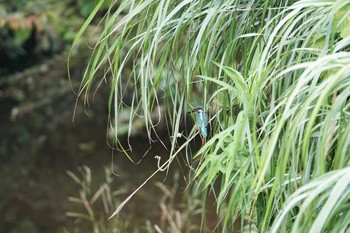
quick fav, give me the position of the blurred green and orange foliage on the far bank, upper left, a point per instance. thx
(35, 27)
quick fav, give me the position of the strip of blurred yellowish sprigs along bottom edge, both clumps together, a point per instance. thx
(176, 215)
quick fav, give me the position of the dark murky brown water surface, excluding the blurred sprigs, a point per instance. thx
(39, 143)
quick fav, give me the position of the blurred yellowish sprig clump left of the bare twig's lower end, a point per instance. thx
(95, 204)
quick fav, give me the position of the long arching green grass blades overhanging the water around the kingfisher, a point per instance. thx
(274, 76)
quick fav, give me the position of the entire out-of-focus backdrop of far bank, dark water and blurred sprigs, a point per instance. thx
(56, 172)
